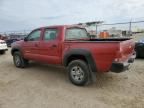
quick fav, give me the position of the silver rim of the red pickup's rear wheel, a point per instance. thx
(77, 73)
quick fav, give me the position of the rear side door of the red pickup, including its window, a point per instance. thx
(50, 48)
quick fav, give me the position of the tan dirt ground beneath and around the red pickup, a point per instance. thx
(43, 86)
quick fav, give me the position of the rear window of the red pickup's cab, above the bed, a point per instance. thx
(76, 33)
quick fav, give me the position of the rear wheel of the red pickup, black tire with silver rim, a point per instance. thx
(78, 72)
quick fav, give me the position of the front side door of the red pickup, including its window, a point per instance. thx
(31, 46)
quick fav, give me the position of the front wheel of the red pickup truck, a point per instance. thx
(19, 61)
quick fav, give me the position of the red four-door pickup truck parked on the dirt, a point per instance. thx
(72, 47)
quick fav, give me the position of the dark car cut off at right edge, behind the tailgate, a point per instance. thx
(139, 48)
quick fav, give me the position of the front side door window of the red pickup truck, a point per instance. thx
(34, 36)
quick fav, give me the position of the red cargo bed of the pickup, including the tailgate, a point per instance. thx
(104, 51)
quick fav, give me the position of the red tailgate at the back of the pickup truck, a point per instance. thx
(127, 49)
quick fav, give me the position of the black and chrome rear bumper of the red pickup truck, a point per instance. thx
(121, 67)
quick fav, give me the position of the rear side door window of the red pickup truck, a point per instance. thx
(50, 34)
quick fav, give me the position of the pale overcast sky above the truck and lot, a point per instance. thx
(28, 14)
